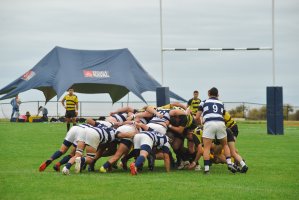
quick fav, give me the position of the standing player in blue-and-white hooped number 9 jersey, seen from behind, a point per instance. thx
(211, 112)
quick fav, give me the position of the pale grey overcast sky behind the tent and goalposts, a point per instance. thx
(30, 29)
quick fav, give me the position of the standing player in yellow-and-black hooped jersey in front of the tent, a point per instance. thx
(71, 107)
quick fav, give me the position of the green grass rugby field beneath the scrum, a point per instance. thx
(273, 170)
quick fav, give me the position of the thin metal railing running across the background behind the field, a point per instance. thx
(246, 110)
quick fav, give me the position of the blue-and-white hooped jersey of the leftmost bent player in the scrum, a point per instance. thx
(106, 134)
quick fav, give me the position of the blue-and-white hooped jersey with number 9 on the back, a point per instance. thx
(212, 110)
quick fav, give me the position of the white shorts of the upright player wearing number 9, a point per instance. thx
(214, 129)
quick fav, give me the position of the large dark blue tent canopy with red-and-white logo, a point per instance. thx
(88, 71)
